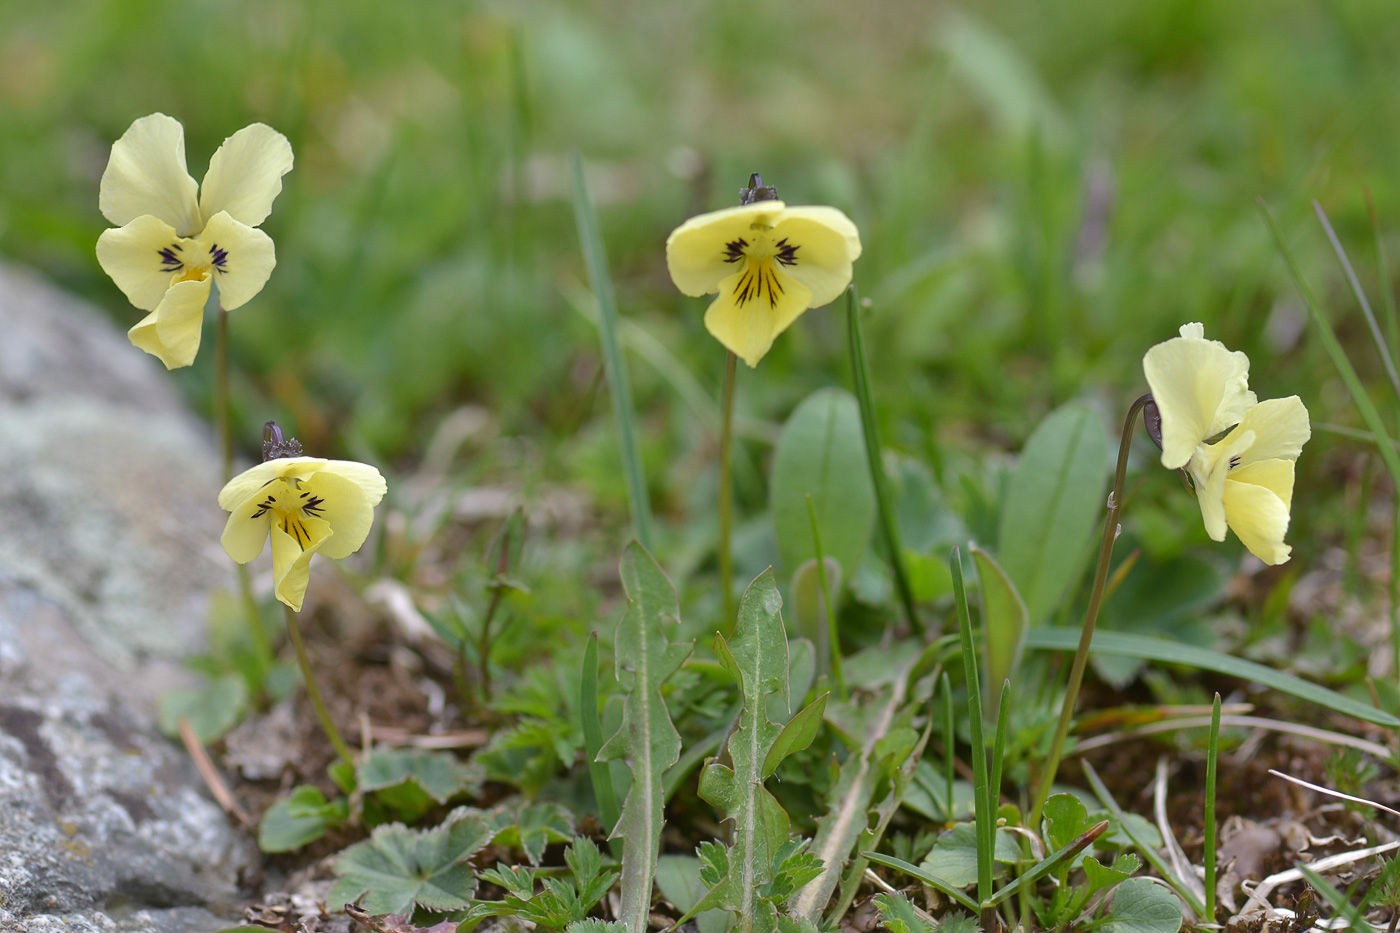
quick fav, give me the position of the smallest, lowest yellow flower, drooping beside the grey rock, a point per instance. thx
(307, 506)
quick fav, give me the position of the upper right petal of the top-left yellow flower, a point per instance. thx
(246, 174)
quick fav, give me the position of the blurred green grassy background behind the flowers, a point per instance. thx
(1044, 191)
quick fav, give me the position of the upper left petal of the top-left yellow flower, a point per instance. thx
(146, 176)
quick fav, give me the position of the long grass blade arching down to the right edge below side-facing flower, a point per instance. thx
(1161, 651)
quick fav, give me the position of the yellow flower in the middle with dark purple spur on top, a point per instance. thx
(766, 261)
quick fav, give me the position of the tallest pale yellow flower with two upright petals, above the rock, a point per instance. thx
(174, 239)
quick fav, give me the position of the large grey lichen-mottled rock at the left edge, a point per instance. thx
(108, 553)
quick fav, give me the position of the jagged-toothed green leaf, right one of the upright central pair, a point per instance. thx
(758, 661)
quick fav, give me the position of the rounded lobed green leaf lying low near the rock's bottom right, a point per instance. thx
(397, 868)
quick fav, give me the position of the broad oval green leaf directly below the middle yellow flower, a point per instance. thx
(822, 452)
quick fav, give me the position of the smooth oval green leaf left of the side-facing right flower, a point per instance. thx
(1055, 498)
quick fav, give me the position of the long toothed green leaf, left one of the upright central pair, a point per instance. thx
(646, 740)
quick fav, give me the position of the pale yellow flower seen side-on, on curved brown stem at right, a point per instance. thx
(1244, 481)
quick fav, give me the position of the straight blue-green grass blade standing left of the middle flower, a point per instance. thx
(597, 261)
